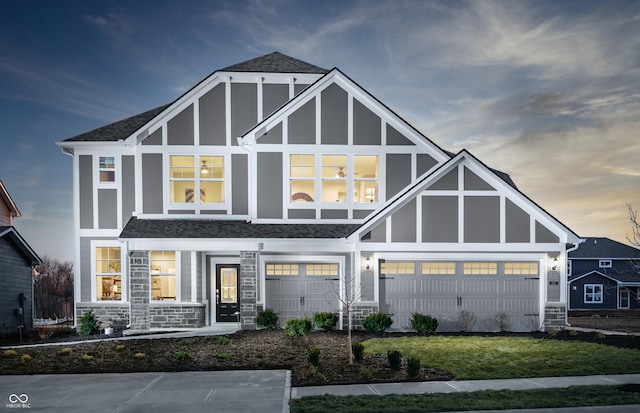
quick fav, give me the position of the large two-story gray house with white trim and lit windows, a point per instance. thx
(276, 183)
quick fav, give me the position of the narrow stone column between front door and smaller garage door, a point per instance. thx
(248, 289)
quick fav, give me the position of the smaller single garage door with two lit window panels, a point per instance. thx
(295, 290)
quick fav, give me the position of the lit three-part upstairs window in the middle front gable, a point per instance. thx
(340, 175)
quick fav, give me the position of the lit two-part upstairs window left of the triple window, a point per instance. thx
(196, 179)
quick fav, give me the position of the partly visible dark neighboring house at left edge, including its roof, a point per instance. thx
(17, 260)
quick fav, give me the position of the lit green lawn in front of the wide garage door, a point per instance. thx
(471, 358)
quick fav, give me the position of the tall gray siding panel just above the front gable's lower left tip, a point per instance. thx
(244, 108)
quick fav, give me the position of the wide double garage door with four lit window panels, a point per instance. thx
(444, 289)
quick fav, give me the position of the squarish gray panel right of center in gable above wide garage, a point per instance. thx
(481, 219)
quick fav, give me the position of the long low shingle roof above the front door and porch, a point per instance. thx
(201, 228)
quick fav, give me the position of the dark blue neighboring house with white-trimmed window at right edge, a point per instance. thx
(604, 275)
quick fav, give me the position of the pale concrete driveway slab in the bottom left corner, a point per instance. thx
(213, 391)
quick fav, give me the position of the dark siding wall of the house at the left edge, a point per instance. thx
(15, 278)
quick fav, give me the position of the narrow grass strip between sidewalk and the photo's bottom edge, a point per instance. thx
(481, 400)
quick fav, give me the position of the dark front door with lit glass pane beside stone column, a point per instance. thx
(227, 305)
